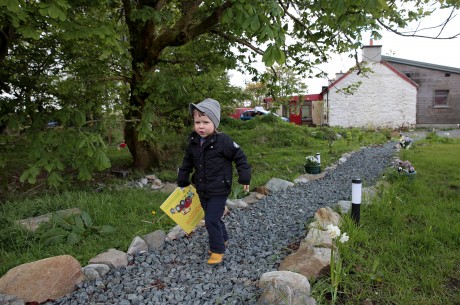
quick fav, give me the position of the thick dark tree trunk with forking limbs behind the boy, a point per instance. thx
(147, 42)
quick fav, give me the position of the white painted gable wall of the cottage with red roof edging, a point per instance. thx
(383, 99)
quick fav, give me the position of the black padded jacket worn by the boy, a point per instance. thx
(211, 164)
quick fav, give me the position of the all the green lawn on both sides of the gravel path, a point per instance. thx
(405, 251)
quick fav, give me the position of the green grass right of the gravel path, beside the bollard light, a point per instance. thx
(407, 247)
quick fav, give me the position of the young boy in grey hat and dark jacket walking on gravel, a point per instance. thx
(210, 155)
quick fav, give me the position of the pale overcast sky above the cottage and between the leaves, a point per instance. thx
(439, 52)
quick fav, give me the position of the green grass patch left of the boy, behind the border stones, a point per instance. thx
(126, 209)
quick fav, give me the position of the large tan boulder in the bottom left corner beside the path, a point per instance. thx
(46, 279)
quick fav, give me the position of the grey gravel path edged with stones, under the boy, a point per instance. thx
(259, 236)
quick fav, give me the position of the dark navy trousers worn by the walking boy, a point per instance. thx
(213, 212)
